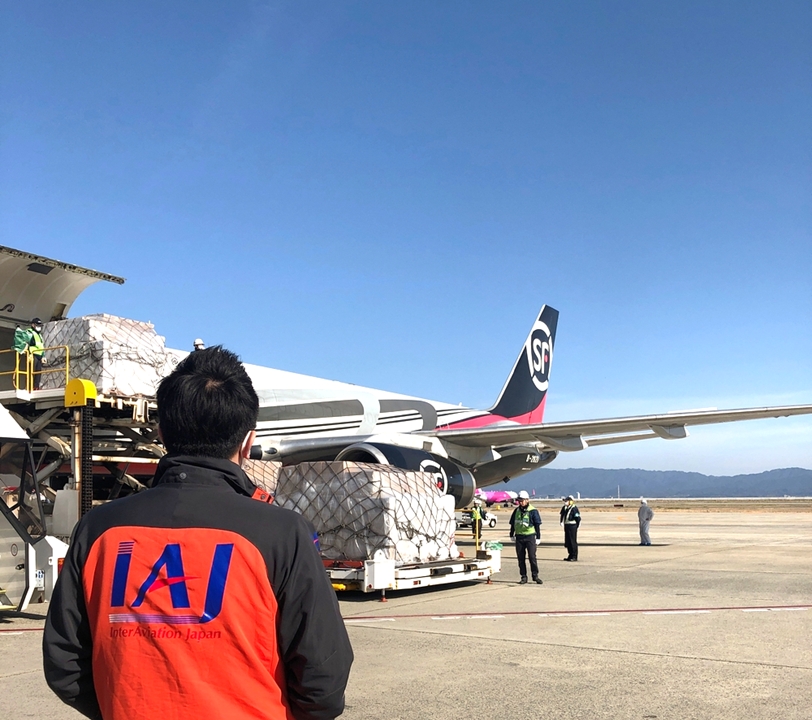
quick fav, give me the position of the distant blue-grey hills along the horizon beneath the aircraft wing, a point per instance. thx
(596, 482)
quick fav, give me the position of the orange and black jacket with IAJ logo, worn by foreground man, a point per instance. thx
(193, 600)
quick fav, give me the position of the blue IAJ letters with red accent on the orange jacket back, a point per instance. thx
(167, 572)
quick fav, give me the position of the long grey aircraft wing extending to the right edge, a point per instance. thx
(573, 436)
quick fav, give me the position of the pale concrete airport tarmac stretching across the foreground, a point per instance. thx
(712, 622)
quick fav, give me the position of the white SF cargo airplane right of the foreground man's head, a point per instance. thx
(305, 419)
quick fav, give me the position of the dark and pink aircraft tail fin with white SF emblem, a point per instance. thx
(523, 397)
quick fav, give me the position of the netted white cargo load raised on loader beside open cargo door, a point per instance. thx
(119, 356)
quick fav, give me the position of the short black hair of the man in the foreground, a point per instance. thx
(207, 405)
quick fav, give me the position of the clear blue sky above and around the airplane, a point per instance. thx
(386, 193)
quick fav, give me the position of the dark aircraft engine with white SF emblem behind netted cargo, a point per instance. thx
(451, 478)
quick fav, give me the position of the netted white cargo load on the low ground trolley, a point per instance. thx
(360, 509)
